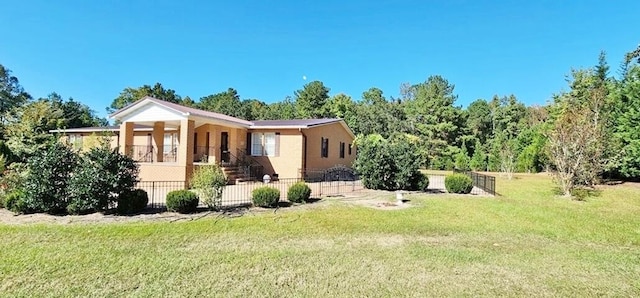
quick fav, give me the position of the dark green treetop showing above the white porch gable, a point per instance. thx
(130, 95)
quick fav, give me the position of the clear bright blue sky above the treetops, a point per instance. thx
(91, 50)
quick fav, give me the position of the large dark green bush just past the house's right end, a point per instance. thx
(388, 165)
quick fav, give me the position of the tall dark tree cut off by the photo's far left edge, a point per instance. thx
(12, 95)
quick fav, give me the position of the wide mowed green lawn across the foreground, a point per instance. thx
(526, 242)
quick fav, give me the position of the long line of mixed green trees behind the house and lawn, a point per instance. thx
(584, 134)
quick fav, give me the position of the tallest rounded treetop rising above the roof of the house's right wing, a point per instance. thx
(311, 99)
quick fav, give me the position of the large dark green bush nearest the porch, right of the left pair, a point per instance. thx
(100, 178)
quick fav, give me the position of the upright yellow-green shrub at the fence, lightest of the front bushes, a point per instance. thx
(209, 181)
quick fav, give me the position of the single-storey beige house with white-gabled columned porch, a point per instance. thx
(169, 140)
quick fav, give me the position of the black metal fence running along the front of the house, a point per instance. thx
(235, 195)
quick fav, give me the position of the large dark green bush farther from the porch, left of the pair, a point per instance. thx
(46, 185)
